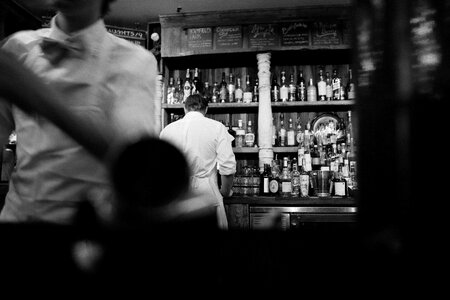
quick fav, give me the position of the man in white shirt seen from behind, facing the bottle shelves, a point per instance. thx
(206, 144)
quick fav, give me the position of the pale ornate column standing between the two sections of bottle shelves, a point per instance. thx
(264, 111)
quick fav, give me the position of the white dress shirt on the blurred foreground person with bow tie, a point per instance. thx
(112, 86)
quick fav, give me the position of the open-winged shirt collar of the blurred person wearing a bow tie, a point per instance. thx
(91, 36)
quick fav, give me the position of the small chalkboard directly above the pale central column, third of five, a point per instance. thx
(263, 35)
